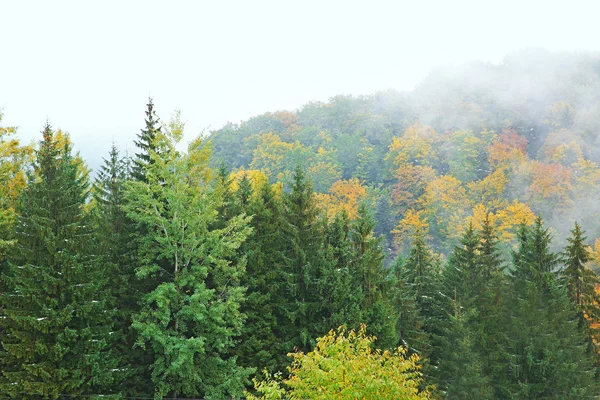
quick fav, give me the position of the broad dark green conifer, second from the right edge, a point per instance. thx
(546, 351)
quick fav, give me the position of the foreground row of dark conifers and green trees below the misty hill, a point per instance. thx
(169, 277)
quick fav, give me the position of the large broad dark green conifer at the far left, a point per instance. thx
(57, 328)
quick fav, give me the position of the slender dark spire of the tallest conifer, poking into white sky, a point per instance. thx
(147, 143)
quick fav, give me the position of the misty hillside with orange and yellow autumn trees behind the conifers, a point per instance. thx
(518, 138)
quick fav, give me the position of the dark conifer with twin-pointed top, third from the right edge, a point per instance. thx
(471, 334)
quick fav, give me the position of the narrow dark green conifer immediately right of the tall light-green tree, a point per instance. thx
(259, 344)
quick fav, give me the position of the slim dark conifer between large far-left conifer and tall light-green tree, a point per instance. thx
(115, 237)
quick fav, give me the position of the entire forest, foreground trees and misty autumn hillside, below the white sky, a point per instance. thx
(437, 243)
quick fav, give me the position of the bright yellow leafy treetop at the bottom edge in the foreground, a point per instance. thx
(344, 365)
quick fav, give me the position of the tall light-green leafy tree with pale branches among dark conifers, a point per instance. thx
(191, 317)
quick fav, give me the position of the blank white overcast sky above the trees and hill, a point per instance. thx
(89, 67)
